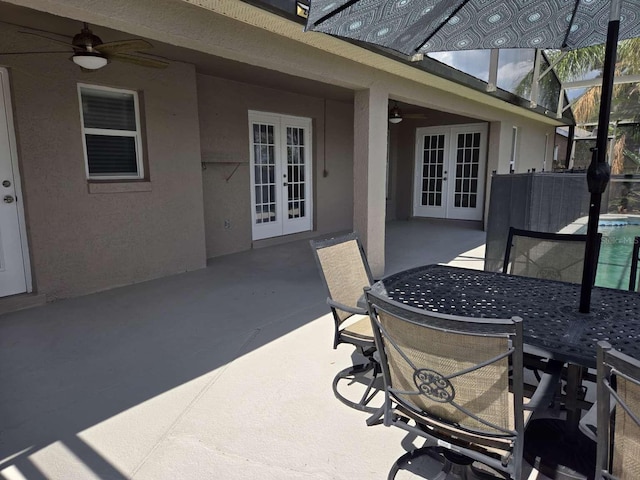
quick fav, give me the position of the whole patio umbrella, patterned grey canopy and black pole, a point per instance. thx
(420, 26)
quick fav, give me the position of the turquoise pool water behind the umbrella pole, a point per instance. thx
(614, 263)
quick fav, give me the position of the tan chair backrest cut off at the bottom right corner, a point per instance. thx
(618, 454)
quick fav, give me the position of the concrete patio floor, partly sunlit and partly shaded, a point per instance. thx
(221, 373)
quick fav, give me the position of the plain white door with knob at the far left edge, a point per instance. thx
(13, 257)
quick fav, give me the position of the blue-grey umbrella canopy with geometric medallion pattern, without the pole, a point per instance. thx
(421, 26)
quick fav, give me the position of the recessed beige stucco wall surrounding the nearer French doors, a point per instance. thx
(224, 127)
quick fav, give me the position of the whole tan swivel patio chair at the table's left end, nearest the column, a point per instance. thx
(345, 271)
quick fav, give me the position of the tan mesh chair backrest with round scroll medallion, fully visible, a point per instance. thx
(451, 371)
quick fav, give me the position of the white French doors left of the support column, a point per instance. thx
(280, 174)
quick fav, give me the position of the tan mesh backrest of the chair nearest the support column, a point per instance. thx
(344, 269)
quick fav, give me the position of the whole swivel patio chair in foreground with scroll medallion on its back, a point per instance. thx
(458, 383)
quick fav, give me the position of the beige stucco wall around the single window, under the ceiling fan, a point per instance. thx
(80, 241)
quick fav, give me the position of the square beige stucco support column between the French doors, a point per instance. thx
(369, 172)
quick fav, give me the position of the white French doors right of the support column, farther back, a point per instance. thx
(450, 170)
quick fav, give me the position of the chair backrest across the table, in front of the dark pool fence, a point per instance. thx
(553, 256)
